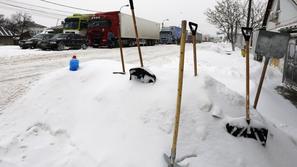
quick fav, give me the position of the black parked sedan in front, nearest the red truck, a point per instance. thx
(64, 41)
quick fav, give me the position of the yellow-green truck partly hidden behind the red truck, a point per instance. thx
(77, 23)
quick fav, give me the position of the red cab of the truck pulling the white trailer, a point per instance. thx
(103, 29)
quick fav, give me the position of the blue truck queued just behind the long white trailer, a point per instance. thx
(170, 35)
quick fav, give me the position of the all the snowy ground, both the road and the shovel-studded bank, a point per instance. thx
(53, 117)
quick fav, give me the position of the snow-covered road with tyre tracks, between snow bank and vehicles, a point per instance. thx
(20, 68)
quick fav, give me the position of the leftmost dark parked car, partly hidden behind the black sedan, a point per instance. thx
(32, 42)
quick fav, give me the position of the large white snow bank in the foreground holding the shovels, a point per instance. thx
(94, 118)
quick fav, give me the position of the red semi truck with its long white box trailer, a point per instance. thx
(105, 28)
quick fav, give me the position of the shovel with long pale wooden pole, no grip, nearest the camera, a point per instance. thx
(171, 160)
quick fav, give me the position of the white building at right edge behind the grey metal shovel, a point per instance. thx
(281, 16)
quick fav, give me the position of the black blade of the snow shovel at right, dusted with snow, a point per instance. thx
(259, 134)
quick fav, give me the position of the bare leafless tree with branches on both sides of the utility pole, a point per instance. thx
(230, 15)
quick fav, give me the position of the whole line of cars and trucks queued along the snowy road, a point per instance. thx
(103, 29)
